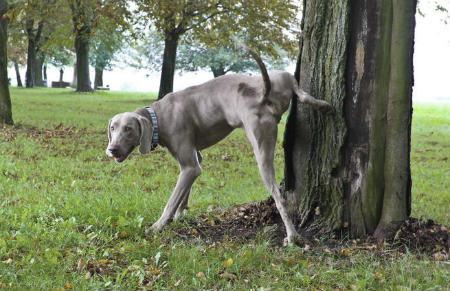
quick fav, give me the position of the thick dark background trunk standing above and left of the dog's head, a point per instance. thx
(82, 52)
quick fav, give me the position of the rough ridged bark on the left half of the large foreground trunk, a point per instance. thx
(311, 138)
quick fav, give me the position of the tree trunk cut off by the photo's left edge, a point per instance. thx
(5, 99)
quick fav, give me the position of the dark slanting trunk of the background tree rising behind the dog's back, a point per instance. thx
(168, 66)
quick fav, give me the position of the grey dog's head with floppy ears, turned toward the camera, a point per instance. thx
(125, 132)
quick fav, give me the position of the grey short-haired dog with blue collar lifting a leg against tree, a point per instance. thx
(195, 118)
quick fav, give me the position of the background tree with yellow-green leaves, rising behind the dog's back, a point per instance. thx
(213, 23)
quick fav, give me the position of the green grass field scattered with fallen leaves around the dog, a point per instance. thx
(71, 218)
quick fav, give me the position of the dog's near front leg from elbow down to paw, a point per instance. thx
(189, 171)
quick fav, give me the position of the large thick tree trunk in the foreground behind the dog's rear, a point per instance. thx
(352, 169)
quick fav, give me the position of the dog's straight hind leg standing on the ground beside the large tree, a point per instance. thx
(263, 136)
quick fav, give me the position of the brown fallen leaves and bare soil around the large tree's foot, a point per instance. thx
(246, 221)
